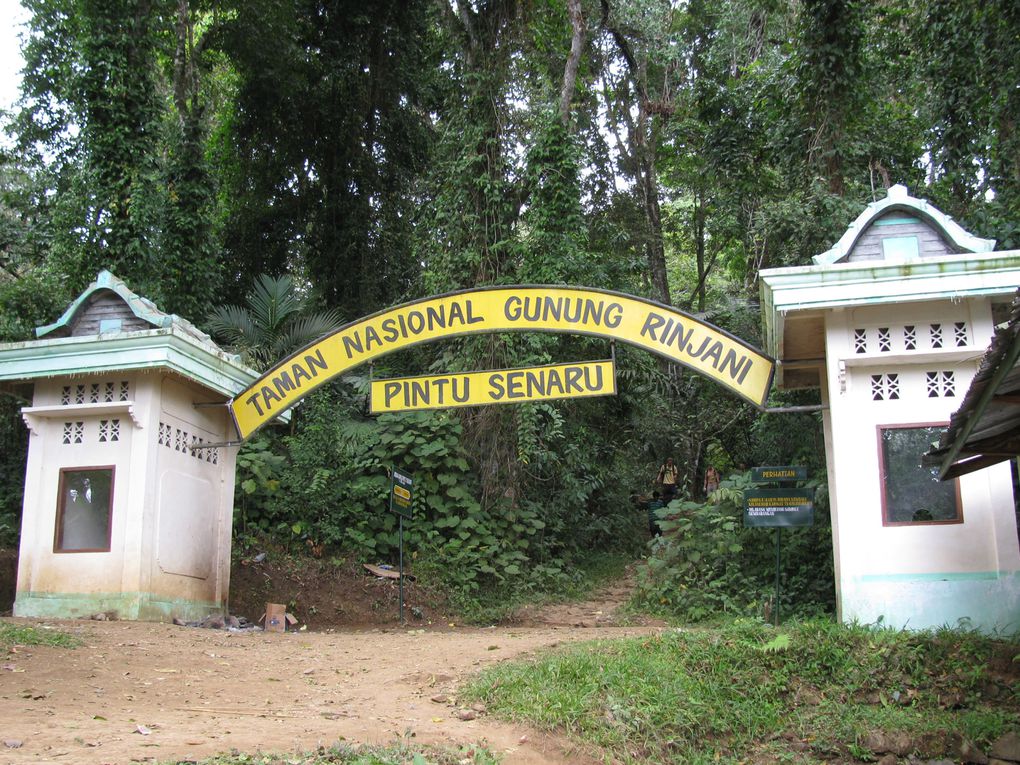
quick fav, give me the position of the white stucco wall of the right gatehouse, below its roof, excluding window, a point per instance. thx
(923, 576)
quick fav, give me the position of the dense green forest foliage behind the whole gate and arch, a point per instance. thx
(366, 154)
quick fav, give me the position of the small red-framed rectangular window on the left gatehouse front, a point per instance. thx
(85, 499)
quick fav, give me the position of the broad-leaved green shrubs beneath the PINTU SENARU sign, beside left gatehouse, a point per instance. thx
(326, 486)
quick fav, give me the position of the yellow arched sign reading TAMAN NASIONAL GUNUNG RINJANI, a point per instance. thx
(656, 328)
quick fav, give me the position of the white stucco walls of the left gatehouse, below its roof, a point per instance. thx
(172, 508)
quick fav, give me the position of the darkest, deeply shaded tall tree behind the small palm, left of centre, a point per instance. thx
(324, 143)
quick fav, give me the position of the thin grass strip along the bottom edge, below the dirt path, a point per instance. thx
(399, 753)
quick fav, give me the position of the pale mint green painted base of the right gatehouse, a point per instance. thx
(989, 601)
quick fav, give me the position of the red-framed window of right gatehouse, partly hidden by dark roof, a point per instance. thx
(912, 492)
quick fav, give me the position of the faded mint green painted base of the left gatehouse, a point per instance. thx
(128, 606)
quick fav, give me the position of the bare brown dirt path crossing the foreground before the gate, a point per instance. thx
(152, 693)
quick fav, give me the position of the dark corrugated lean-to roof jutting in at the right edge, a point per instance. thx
(986, 430)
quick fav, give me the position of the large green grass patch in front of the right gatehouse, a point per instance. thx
(812, 691)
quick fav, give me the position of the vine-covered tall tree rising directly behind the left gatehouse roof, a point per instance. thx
(96, 113)
